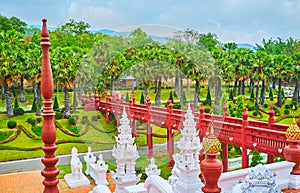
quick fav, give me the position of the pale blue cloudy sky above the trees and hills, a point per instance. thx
(240, 21)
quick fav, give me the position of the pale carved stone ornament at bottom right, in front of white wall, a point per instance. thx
(259, 179)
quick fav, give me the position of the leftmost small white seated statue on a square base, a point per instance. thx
(76, 178)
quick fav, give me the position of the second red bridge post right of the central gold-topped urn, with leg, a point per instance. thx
(245, 158)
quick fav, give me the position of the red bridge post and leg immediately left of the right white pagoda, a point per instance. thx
(170, 136)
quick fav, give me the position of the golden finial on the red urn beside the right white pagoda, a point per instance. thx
(211, 144)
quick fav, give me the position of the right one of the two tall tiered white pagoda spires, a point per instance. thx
(185, 174)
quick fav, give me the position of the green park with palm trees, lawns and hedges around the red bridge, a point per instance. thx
(204, 70)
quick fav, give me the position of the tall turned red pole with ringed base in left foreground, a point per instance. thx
(48, 130)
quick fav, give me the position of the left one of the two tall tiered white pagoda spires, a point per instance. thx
(126, 154)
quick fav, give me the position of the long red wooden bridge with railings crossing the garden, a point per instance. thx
(265, 137)
